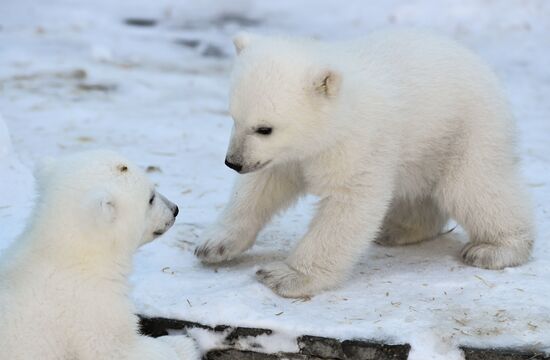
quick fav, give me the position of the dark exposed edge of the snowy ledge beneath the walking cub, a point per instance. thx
(315, 347)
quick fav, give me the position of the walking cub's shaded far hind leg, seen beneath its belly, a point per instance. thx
(411, 221)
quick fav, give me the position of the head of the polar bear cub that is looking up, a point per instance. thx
(99, 199)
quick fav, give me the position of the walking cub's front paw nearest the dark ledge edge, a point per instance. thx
(286, 281)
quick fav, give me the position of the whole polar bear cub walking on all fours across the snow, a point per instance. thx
(395, 134)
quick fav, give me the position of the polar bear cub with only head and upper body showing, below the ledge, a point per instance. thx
(63, 283)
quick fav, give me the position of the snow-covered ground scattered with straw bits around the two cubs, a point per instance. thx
(74, 75)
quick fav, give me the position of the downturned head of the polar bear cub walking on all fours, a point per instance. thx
(281, 102)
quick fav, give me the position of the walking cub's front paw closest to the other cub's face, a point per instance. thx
(221, 245)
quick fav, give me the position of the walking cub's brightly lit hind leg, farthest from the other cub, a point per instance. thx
(493, 208)
